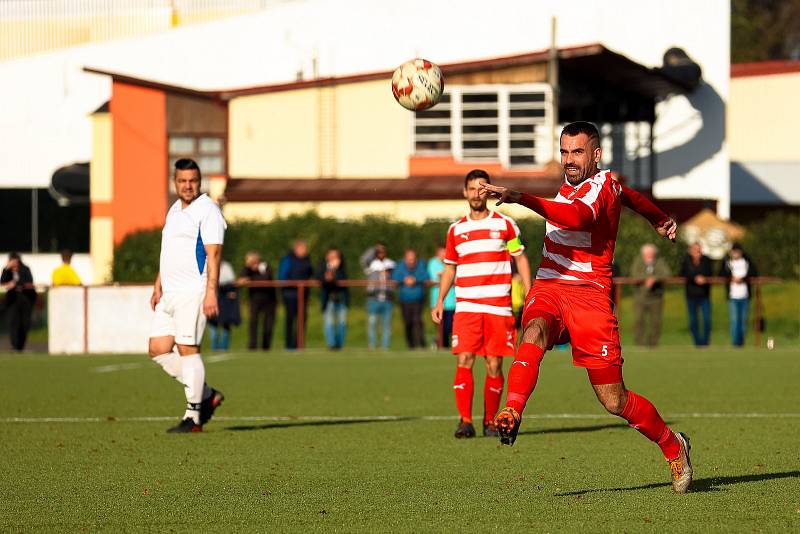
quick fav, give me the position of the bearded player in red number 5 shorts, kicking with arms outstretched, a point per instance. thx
(571, 299)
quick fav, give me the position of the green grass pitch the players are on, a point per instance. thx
(362, 441)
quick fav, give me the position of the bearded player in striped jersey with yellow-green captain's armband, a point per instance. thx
(478, 255)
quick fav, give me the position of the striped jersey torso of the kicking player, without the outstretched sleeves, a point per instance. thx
(584, 255)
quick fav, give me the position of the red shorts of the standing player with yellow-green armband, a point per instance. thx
(484, 334)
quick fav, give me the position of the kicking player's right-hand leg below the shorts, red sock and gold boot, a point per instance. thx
(643, 416)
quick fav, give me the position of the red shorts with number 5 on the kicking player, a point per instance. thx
(578, 314)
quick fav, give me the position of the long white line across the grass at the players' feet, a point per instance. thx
(325, 418)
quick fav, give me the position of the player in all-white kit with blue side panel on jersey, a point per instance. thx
(185, 293)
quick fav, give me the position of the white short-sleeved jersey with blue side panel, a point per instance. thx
(185, 234)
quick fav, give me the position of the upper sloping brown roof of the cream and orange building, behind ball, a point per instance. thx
(592, 61)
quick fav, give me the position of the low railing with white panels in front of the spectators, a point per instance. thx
(117, 318)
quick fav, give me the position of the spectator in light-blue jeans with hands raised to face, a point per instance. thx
(380, 292)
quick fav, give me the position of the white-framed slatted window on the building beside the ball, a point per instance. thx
(506, 123)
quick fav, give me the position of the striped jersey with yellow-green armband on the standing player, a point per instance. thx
(481, 250)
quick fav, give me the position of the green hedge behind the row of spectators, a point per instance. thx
(774, 243)
